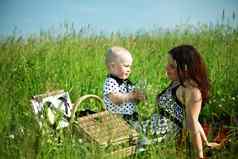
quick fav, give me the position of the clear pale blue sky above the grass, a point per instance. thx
(31, 16)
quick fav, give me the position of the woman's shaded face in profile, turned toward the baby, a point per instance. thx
(171, 69)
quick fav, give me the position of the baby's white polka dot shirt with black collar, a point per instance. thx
(113, 84)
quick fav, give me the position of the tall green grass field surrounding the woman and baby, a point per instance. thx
(75, 63)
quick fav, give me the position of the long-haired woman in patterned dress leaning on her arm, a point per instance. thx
(180, 104)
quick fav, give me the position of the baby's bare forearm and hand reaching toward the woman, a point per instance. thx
(119, 98)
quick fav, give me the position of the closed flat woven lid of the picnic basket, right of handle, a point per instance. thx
(105, 128)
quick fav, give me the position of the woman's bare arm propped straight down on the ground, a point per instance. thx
(193, 104)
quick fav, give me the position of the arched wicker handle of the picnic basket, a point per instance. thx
(80, 100)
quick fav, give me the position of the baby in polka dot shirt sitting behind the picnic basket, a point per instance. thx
(119, 94)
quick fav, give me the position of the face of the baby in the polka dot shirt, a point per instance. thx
(122, 68)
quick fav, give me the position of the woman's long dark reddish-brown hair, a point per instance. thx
(190, 65)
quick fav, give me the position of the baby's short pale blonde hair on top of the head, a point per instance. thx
(115, 53)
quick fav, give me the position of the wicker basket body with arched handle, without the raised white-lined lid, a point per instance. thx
(106, 129)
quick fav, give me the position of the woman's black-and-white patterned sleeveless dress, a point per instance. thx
(170, 115)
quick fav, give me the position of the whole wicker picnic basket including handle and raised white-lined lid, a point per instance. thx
(107, 130)
